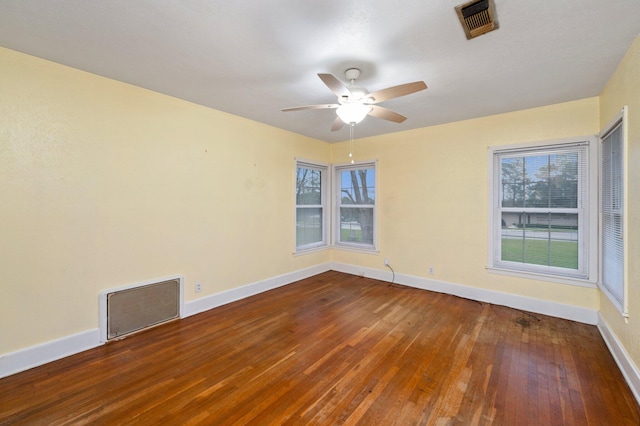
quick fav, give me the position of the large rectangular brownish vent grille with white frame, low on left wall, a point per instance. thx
(134, 308)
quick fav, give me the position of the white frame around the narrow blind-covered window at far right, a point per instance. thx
(622, 305)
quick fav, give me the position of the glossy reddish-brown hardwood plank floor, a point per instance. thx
(336, 349)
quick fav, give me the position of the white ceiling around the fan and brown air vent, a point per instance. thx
(252, 58)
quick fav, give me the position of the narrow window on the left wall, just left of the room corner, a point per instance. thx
(311, 201)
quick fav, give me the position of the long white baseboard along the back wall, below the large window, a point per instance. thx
(545, 307)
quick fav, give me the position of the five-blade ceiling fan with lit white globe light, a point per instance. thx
(355, 102)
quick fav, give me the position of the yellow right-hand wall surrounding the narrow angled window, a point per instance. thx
(624, 89)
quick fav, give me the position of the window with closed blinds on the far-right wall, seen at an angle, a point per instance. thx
(611, 214)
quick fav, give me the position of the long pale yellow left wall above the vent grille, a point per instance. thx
(104, 184)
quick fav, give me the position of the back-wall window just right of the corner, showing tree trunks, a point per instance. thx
(356, 206)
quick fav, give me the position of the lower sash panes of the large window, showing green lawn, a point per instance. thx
(549, 239)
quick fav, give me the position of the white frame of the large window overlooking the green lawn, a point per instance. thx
(586, 275)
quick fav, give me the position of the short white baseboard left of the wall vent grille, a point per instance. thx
(34, 356)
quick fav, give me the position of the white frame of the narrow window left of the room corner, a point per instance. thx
(325, 189)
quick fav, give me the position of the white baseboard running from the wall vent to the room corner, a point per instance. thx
(219, 299)
